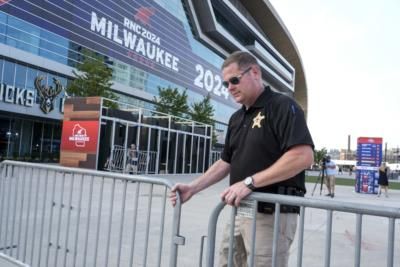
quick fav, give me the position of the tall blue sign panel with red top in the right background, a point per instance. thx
(369, 158)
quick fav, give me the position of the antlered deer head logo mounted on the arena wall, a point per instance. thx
(47, 94)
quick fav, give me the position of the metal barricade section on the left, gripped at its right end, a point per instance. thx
(58, 216)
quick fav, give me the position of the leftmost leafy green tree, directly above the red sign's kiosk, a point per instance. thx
(93, 78)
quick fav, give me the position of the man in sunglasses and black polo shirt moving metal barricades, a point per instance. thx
(267, 148)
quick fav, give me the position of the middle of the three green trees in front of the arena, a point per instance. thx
(171, 101)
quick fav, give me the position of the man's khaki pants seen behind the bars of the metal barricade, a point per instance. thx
(264, 237)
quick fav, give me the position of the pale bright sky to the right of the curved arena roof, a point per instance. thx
(350, 51)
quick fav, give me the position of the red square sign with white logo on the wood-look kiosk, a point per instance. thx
(80, 136)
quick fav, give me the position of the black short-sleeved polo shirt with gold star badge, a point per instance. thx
(259, 136)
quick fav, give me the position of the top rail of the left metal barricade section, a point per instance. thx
(111, 175)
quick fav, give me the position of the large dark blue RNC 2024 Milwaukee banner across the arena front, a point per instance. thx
(139, 33)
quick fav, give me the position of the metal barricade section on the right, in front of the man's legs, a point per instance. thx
(329, 206)
